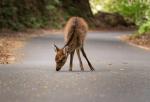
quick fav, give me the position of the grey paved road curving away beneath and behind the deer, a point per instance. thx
(122, 73)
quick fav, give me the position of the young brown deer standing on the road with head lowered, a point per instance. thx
(75, 33)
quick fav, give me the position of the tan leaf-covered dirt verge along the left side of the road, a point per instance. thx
(11, 41)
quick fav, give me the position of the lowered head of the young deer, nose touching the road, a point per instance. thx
(60, 58)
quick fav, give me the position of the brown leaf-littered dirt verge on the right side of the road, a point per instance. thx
(142, 41)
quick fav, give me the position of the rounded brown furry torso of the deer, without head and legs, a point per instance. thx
(80, 32)
